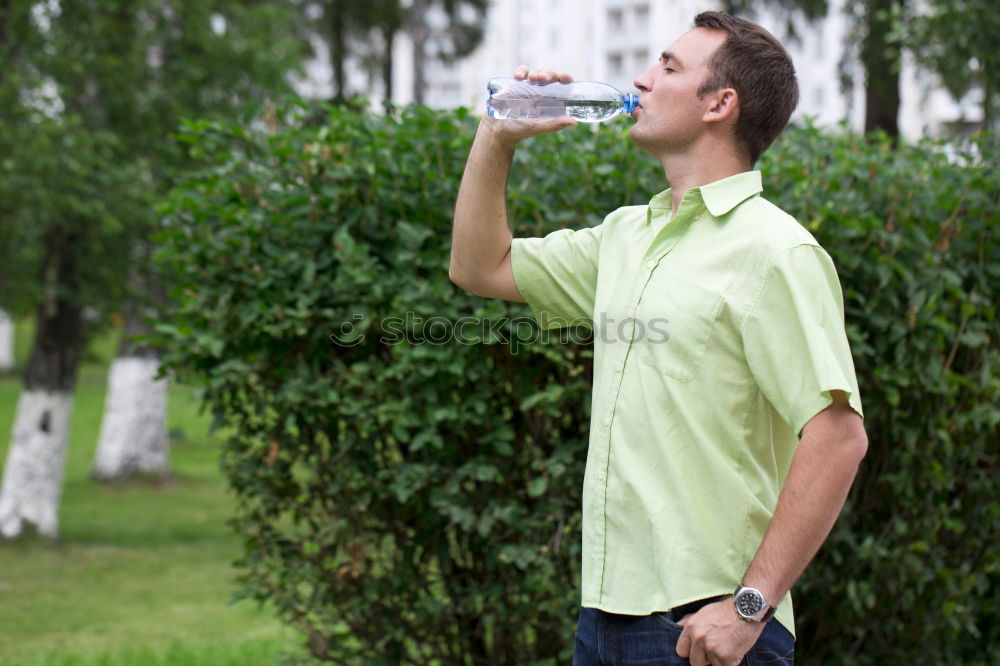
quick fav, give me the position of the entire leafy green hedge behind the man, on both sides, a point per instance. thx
(408, 498)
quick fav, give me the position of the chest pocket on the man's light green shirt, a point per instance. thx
(679, 316)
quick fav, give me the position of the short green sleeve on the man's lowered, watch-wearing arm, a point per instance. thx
(795, 340)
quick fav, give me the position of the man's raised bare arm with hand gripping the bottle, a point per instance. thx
(481, 237)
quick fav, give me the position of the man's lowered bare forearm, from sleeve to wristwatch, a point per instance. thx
(822, 471)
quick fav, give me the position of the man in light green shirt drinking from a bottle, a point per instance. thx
(750, 393)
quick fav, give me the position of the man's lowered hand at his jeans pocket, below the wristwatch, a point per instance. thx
(716, 635)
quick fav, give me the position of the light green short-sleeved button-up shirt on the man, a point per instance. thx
(717, 336)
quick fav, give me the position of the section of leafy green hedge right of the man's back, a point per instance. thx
(911, 571)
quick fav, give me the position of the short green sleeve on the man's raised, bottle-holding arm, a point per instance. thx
(557, 275)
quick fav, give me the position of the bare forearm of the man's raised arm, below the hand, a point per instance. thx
(481, 234)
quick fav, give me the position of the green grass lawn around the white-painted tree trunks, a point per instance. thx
(142, 573)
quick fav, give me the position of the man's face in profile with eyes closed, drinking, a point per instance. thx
(670, 114)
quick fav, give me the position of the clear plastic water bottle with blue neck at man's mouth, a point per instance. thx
(587, 101)
